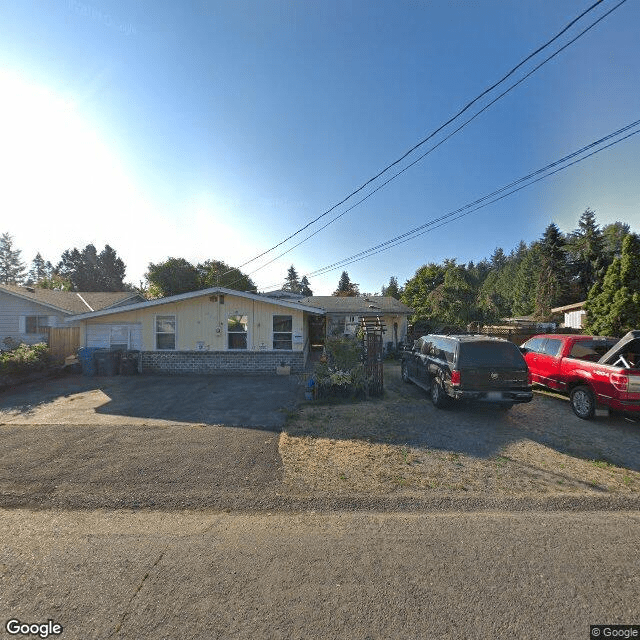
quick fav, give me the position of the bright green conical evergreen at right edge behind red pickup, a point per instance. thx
(613, 307)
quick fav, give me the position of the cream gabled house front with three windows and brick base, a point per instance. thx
(208, 331)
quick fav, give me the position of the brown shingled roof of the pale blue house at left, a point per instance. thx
(72, 302)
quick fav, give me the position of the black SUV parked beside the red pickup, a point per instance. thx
(468, 367)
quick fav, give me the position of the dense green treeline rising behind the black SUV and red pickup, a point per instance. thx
(556, 270)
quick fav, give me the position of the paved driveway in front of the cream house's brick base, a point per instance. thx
(144, 441)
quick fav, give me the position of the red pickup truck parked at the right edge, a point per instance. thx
(594, 371)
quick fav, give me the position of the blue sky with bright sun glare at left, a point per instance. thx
(216, 129)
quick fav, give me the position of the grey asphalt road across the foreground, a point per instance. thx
(152, 575)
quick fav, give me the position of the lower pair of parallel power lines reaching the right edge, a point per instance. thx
(486, 200)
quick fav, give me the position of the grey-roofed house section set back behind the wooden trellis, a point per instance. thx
(343, 315)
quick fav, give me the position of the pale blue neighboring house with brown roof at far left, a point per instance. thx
(26, 313)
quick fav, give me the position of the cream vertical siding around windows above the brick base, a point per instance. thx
(201, 323)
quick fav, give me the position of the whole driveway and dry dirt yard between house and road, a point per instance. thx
(239, 443)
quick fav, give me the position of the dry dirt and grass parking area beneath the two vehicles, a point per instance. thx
(402, 444)
